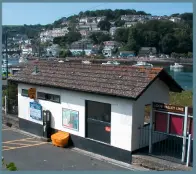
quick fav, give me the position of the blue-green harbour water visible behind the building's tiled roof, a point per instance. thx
(183, 77)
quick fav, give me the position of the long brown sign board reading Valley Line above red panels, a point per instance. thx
(168, 108)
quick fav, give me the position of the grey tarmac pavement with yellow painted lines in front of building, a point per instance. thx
(29, 153)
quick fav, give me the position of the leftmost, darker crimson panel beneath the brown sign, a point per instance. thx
(160, 122)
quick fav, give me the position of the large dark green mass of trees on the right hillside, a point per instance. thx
(166, 36)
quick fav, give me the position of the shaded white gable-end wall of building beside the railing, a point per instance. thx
(157, 92)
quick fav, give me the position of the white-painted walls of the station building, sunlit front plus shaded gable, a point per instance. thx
(126, 115)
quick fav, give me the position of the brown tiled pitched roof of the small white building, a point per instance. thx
(122, 81)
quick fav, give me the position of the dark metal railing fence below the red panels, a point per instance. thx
(164, 146)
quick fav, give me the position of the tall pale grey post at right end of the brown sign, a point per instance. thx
(184, 134)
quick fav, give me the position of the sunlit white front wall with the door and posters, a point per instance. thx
(121, 112)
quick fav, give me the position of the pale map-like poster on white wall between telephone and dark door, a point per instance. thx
(71, 119)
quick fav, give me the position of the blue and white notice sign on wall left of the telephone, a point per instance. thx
(35, 111)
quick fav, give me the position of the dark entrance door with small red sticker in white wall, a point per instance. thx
(98, 121)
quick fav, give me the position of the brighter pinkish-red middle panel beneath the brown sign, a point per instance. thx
(176, 125)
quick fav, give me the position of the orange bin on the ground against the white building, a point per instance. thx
(60, 139)
